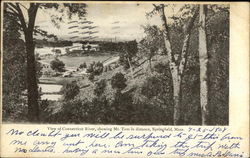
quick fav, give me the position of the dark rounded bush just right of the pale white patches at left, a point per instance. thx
(70, 90)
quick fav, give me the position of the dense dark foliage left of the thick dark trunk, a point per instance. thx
(14, 65)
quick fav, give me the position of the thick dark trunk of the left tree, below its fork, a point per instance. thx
(33, 107)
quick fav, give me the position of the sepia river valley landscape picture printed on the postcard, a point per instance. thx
(115, 63)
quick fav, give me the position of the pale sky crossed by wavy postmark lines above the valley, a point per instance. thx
(120, 21)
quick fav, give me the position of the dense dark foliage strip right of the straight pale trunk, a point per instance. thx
(218, 32)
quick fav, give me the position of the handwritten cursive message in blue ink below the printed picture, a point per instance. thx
(188, 142)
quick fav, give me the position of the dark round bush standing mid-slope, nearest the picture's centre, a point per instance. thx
(118, 81)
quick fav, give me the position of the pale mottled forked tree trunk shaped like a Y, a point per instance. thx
(176, 68)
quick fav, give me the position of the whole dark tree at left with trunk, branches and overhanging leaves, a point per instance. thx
(28, 28)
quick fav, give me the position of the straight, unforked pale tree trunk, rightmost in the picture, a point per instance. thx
(203, 58)
